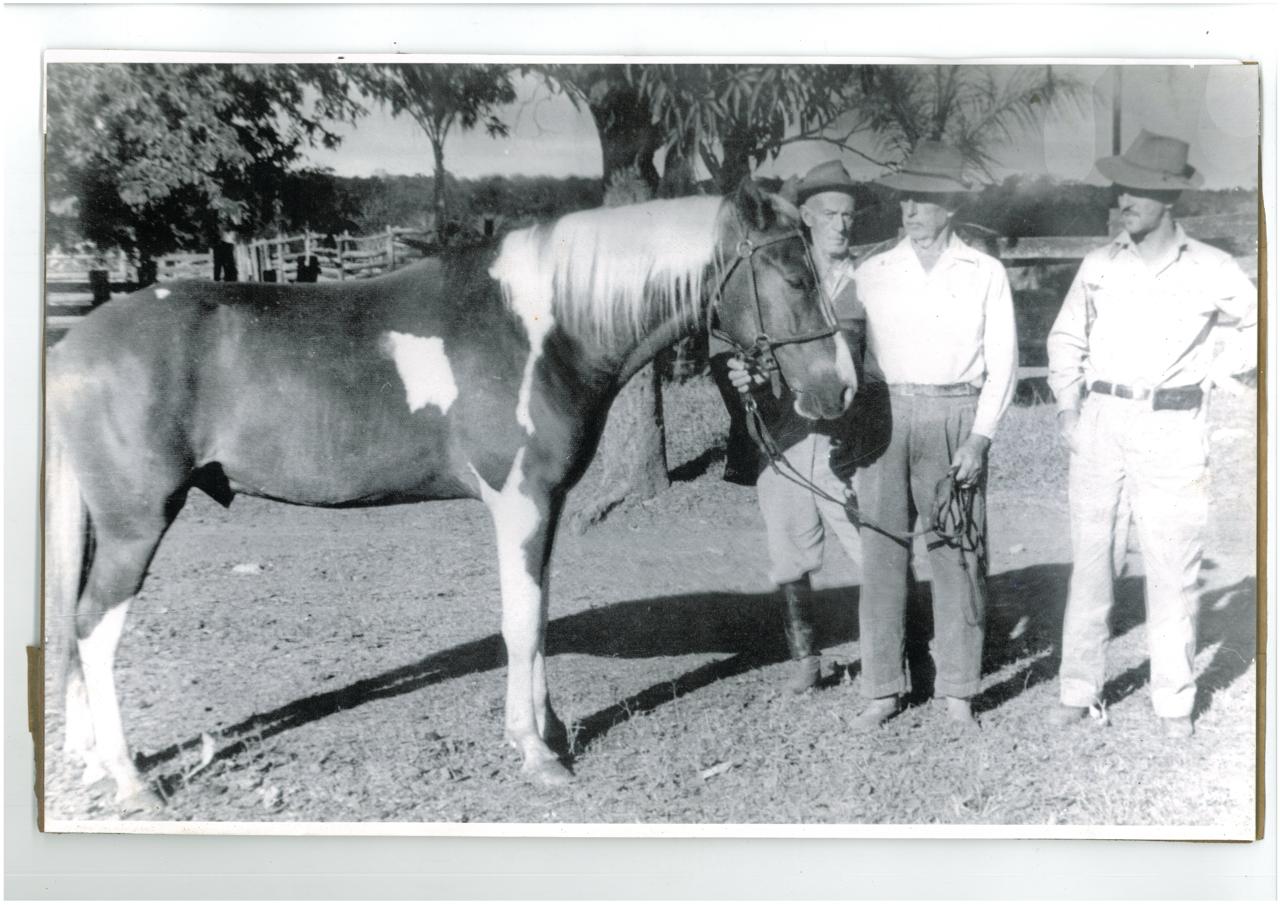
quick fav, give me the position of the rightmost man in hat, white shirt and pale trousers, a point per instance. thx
(1131, 363)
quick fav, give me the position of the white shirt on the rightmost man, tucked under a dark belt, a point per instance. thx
(1151, 326)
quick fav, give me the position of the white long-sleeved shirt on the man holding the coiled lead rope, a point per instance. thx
(950, 324)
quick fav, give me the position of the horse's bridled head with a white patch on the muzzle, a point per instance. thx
(771, 308)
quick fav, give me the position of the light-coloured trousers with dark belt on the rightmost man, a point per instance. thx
(1162, 460)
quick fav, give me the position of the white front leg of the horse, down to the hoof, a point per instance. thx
(523, 522)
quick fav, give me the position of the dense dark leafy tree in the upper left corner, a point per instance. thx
(158, 157)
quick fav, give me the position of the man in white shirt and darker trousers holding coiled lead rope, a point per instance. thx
(943, 353)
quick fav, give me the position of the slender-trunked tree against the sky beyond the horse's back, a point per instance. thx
(440, 98)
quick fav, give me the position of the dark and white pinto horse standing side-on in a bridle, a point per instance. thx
(481, 374)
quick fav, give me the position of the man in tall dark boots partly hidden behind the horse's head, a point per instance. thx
(797, 520)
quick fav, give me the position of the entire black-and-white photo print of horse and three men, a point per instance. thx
(716, 447)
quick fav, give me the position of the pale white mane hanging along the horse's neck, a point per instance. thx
(614, 271)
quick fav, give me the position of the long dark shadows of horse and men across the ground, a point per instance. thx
(1025, 625)
